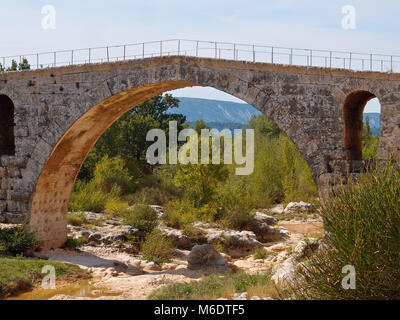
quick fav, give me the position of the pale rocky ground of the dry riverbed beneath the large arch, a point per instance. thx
(118, 269)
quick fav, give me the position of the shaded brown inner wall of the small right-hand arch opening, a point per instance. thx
(353, 109)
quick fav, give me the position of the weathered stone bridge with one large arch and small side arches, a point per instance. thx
(51, 118)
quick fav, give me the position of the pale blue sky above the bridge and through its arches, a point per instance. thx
(286, 23)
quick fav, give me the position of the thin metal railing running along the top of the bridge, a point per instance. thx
(209, 49)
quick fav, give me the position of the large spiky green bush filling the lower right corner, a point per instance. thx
(362, 221)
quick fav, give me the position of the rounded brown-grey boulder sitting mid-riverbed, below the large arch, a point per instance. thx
(205, 256)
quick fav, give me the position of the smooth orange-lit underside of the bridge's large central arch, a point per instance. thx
(49, 203)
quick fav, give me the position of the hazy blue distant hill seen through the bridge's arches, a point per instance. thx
(225, 114)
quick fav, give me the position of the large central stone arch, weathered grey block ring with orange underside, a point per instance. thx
(64, 145)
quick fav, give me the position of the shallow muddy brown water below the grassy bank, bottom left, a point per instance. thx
(80, 290)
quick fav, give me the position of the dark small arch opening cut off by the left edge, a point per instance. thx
(7, 141)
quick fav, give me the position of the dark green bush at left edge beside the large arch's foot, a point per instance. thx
(18, 240)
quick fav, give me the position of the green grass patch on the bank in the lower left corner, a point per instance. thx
(19, 275)
